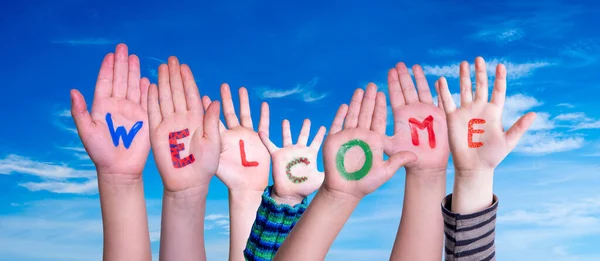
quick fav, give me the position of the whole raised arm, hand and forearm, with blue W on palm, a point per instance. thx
(115, 135)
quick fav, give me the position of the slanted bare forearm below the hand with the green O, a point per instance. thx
(325, 217)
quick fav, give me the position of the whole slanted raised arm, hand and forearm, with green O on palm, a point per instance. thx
(354, 167)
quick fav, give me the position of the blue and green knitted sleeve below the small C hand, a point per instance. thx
(272, 225)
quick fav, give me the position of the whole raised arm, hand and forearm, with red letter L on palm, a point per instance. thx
(244, 166)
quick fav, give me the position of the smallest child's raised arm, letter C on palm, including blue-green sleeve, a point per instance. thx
(295, 176)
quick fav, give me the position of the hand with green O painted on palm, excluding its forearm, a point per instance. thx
(353, 157)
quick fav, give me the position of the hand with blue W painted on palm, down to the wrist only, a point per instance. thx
(115, 135)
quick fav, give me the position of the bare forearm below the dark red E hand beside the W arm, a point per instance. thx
(182, 225)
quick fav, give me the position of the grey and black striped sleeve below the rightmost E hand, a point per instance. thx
(470, 237)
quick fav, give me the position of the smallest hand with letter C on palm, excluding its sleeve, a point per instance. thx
(295, 171)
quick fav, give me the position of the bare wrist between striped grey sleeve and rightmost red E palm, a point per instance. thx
(473, 191)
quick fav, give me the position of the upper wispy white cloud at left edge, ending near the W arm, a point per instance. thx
(23, 165)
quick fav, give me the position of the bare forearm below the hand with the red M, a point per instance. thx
(421, 230)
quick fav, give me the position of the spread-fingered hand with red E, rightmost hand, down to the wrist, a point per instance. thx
(477, 139)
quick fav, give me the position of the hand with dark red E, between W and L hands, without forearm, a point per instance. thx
(185, 140)
